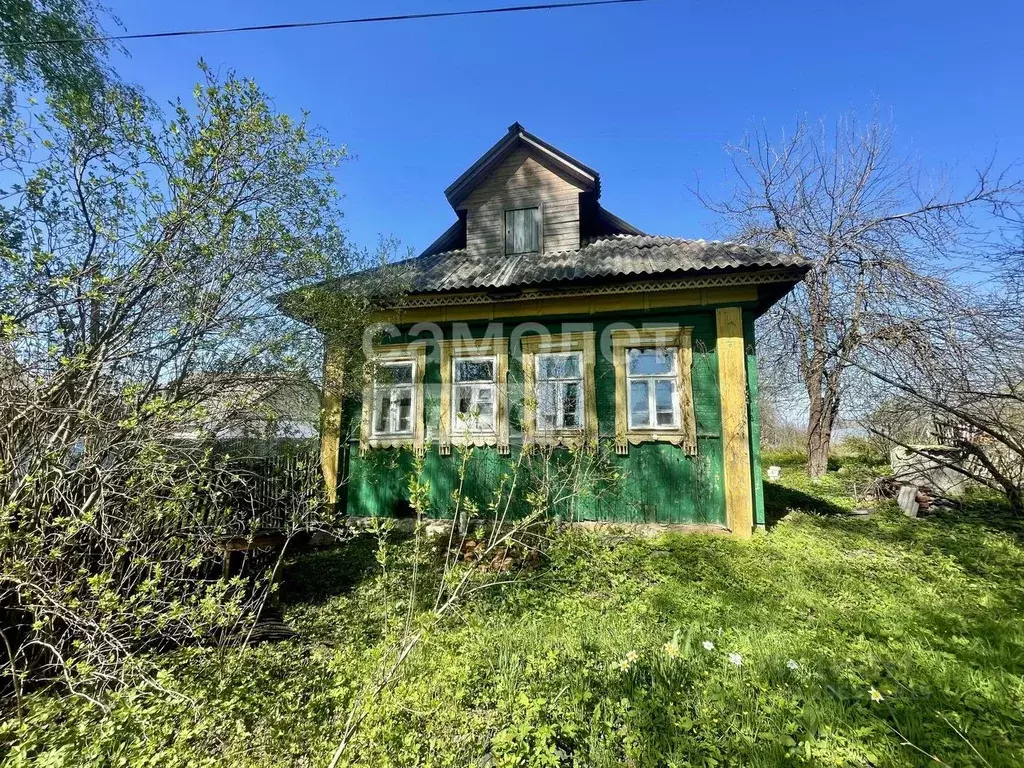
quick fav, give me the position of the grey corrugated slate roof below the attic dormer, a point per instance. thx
(616, 257)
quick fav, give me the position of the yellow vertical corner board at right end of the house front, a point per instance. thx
(736, 433)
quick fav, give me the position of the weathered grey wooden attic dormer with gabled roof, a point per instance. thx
(524, 197)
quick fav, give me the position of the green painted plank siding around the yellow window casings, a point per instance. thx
(657, 483)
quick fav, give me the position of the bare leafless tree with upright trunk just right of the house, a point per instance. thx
(878, 239)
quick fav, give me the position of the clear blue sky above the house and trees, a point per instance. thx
(648, 95)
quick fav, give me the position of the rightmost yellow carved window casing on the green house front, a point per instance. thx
(654, 388)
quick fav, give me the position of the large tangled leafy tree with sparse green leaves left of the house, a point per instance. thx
(142, 258)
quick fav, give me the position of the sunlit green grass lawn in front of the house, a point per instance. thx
(685, 651)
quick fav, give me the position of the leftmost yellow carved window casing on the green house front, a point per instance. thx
(393, 398)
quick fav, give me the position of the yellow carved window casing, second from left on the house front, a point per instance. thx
(475, 394)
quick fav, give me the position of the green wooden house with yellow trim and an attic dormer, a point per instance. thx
(541, 325)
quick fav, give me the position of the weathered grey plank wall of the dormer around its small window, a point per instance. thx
(522, 182)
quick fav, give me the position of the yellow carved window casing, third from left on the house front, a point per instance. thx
(561, 402)
